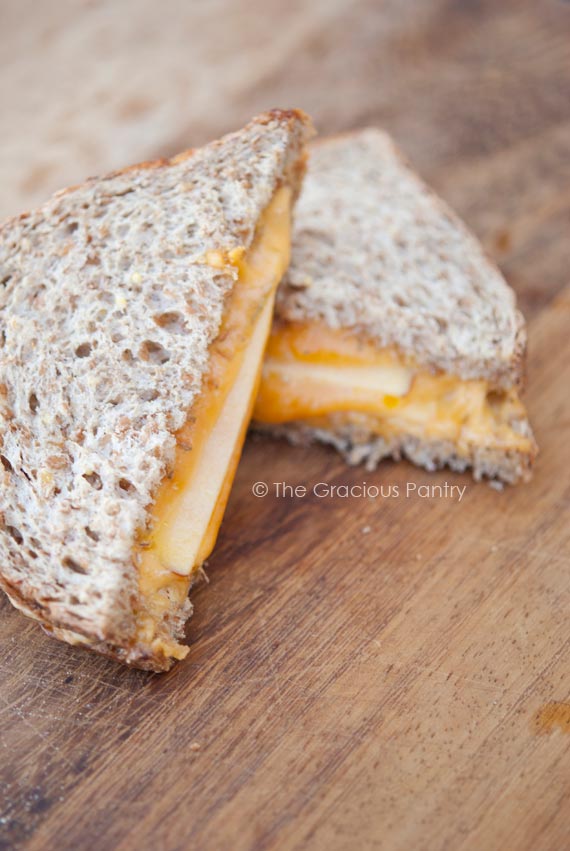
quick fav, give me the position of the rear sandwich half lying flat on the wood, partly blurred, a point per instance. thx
(393, 334)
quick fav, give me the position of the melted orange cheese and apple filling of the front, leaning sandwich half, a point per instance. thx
(189, 506)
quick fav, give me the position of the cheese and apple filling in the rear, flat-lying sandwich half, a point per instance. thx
(329, 378)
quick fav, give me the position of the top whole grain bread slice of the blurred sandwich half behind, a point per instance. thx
(376, 250)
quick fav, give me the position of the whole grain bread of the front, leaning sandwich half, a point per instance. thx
(107, 311)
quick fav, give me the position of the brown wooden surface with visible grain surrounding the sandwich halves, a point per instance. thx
(365, 673)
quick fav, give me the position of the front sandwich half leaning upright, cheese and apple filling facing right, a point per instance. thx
(134, 312)
